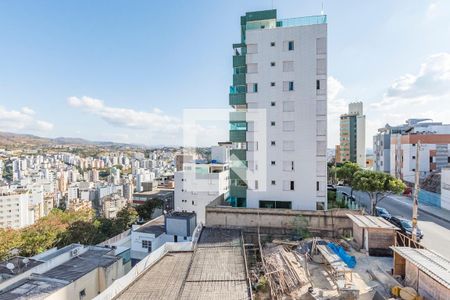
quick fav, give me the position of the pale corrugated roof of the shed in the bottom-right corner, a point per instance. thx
(431, 263)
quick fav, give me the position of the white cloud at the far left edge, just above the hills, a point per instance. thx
(21, 121)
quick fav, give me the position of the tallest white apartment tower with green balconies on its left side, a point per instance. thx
(279, 124)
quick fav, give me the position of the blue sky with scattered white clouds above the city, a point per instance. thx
(133, 71)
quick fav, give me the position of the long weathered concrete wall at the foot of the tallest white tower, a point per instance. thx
(324, 223)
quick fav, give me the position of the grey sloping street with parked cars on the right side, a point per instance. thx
(436, 231)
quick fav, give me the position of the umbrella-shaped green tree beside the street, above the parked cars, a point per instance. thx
(377, 185)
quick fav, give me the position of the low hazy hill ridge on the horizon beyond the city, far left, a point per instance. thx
(8, 139)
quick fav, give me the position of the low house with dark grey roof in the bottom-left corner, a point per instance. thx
(88, 271)
